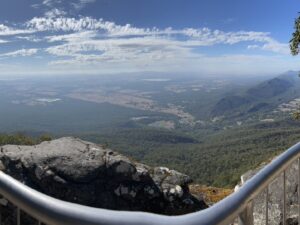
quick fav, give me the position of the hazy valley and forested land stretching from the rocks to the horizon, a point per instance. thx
(173, 120)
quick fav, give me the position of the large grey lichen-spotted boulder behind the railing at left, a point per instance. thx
(82, 172)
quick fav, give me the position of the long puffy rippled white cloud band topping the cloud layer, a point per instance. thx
(189, 36)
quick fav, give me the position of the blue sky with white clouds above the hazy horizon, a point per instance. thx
(219, 37)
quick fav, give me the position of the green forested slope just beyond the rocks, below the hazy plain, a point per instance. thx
(217, 159)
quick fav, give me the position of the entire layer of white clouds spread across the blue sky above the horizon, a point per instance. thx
(94, 45)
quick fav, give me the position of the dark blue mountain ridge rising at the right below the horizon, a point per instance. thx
(259, 98)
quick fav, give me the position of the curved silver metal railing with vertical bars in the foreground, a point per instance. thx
(239, 205)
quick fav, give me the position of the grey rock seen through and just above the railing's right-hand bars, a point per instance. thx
(275, 203)
